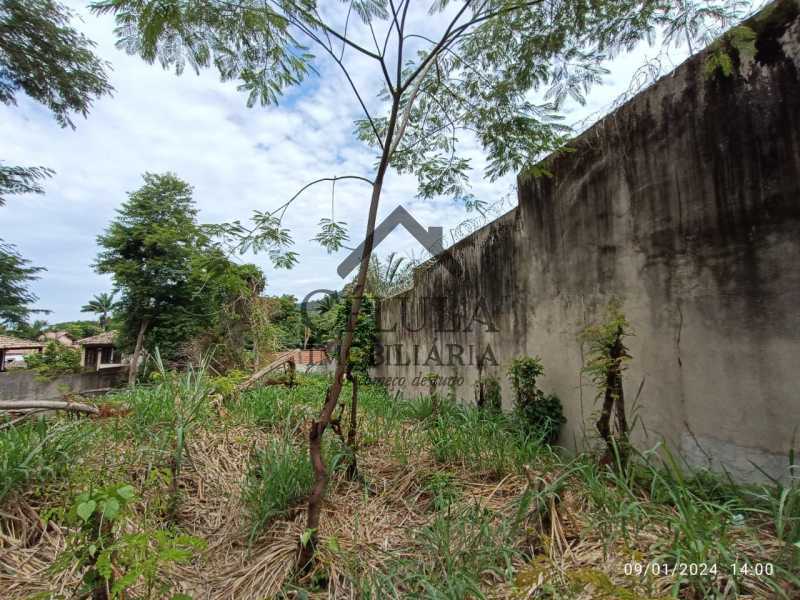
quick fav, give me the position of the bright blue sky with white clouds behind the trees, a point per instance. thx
(236, 158)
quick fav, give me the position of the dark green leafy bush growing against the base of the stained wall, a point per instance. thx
(539, 413)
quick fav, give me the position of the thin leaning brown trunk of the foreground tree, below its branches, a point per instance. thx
(318, 427)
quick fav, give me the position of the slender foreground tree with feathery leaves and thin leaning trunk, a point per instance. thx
(475, 78)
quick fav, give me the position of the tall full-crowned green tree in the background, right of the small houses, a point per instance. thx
(174, 279)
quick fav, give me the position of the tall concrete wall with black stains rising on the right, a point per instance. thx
(685, 204)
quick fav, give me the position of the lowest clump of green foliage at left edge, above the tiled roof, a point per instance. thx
(15, 297)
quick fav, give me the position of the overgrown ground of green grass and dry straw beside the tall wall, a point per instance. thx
(177, 491)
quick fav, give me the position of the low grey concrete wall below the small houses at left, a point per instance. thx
(22, 384)
